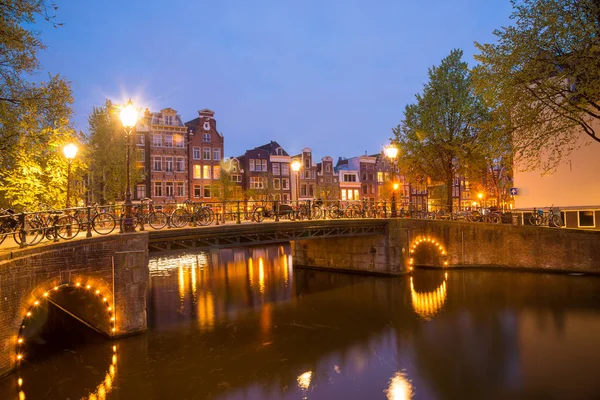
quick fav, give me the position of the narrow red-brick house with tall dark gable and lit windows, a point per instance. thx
(205, 151)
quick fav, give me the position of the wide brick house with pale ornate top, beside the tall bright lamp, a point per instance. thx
(166, 164)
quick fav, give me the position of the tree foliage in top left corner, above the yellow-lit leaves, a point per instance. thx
(26, 105)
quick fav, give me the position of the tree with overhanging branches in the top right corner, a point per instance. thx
(543, 77)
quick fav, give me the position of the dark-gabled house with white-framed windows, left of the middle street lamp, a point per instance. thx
(266, 173)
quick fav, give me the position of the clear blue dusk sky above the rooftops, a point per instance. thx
(334, 76)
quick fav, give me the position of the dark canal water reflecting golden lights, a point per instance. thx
(244, 324)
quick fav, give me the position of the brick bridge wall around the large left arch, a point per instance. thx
(33, 274)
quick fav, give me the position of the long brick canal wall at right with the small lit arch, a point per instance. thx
(454, 244)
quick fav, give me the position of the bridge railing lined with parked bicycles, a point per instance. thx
(46, 224)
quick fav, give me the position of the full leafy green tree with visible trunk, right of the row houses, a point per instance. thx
(438, 134)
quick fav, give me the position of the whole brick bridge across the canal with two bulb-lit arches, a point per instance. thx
(102, 281)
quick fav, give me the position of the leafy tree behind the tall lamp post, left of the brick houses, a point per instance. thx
(107, 147)
